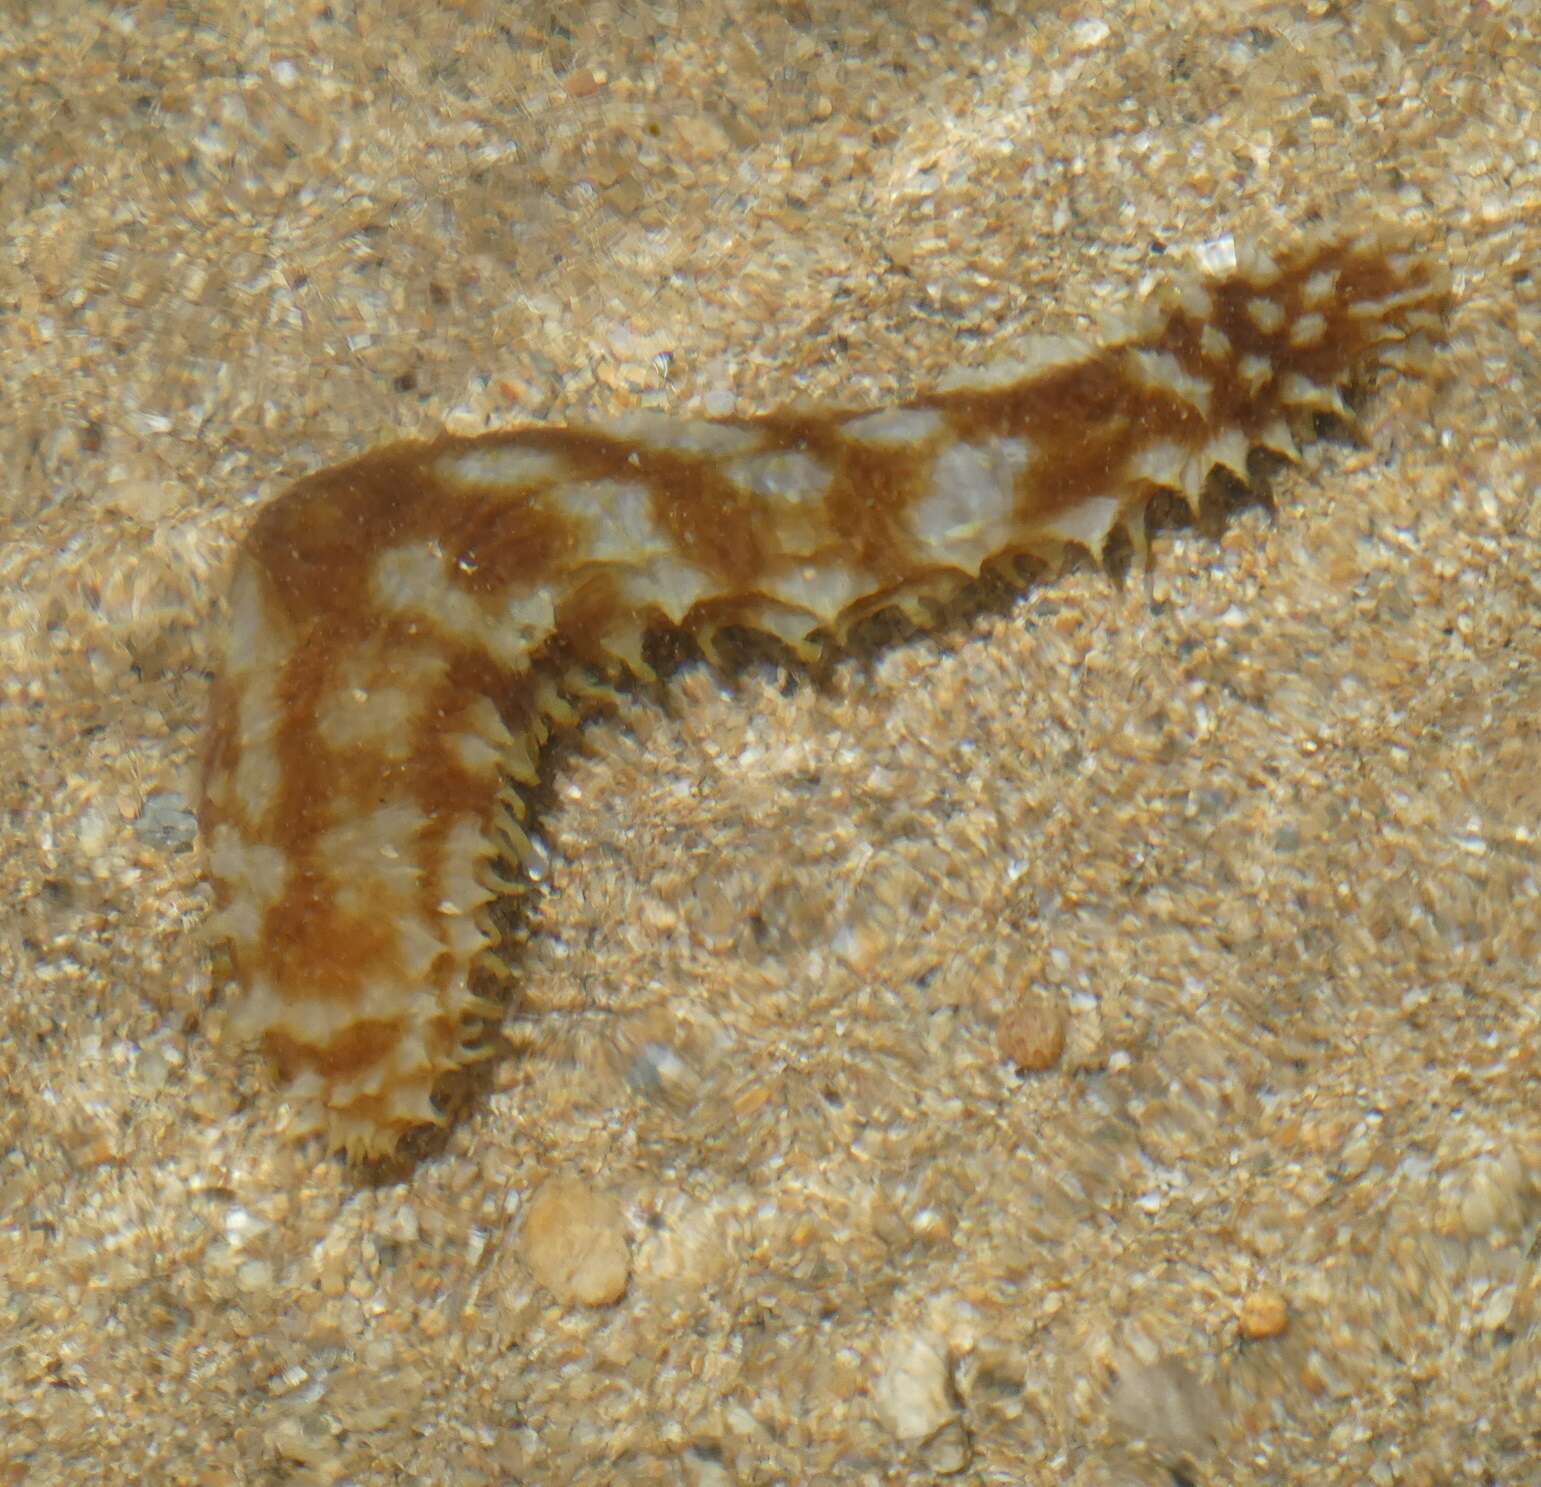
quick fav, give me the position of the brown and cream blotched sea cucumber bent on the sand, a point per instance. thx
(412, 628)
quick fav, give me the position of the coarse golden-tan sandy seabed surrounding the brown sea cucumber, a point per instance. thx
(1257, 830)
